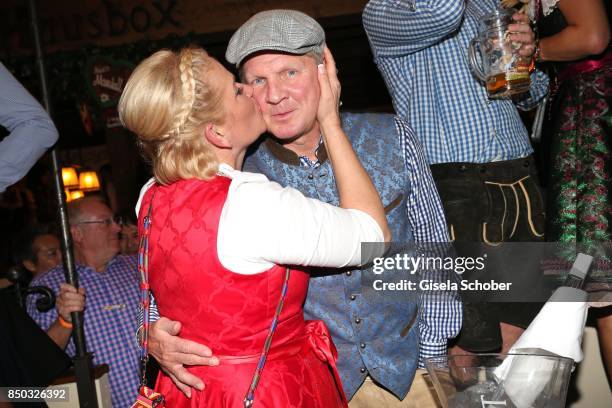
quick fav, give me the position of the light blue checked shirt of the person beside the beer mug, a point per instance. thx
(421, 49)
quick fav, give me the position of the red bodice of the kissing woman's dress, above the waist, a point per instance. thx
(228, 311)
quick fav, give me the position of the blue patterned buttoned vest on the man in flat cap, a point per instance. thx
(376, 335)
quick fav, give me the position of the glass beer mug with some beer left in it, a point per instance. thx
(494, 58)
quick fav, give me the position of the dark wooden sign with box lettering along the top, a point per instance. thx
(69, 24)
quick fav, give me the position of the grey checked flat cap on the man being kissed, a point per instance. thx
(277, 30)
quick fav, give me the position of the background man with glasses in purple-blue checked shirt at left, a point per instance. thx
(111, 305)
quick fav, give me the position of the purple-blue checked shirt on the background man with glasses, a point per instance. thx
(110, 320)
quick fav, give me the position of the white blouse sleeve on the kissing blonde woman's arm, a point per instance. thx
(263, 224)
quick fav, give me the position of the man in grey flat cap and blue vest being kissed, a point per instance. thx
(381, 340)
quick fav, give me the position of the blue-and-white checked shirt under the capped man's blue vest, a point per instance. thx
(439, 318)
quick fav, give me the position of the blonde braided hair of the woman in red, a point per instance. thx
(166, 103)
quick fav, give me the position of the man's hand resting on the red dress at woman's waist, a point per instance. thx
(173, 353)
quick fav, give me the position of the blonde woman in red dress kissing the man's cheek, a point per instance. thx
(220, 239)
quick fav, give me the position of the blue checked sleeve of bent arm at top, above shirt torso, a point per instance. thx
(400, 27)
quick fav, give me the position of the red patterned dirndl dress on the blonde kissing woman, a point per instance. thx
(230, 312)
